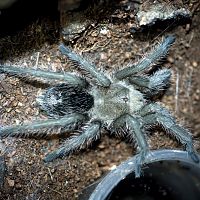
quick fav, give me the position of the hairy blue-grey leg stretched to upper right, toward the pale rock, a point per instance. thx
(156, 55)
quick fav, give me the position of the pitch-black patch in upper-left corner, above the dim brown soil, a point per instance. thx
(23, 12)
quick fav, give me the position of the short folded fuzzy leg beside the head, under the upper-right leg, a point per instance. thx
(152, 85)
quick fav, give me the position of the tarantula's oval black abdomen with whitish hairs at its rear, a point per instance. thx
(64, 99)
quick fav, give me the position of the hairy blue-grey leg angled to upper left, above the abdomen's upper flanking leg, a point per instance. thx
(79, 61)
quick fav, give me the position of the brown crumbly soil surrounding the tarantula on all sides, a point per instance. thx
(110, 45)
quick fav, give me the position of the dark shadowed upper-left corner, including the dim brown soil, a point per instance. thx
(27, 25)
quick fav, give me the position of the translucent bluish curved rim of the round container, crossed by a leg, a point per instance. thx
(112, 179)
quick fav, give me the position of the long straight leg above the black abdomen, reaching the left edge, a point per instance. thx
(27, 72)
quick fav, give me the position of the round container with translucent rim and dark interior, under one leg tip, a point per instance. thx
(167, 175)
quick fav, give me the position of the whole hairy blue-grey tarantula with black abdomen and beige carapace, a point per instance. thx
(120, 102)
